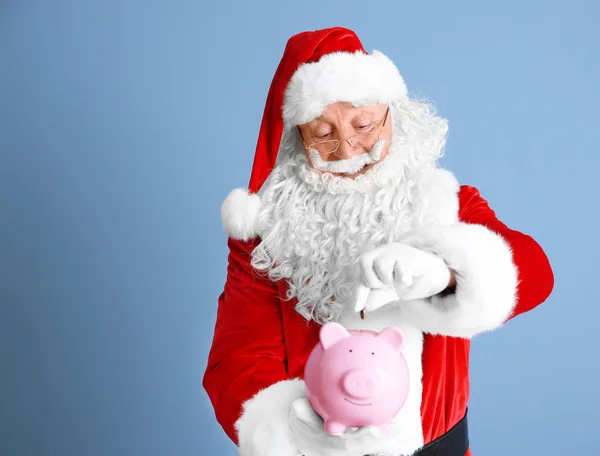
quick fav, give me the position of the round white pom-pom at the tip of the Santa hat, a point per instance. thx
(239, 214)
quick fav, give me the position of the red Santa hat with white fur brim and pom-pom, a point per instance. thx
(317, 68)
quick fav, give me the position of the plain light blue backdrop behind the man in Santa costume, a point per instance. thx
(123, 126)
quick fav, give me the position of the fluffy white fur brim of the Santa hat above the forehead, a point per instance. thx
(357, 78)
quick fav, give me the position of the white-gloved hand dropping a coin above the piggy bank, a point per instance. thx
(410, 272)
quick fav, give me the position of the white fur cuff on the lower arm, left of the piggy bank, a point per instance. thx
(263, 428)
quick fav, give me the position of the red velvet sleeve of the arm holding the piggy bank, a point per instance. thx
(247, 352)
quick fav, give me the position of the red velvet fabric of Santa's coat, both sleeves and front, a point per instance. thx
(261, 340)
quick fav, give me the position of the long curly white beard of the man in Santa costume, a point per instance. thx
(315, 225)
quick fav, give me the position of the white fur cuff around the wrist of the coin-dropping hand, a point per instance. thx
(486, 281)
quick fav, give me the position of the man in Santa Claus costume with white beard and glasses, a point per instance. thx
(349, 218)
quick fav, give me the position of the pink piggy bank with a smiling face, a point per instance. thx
(357, 378)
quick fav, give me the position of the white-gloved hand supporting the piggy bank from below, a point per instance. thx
(307, 429)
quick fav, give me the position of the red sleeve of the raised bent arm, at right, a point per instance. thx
(536, 279)
